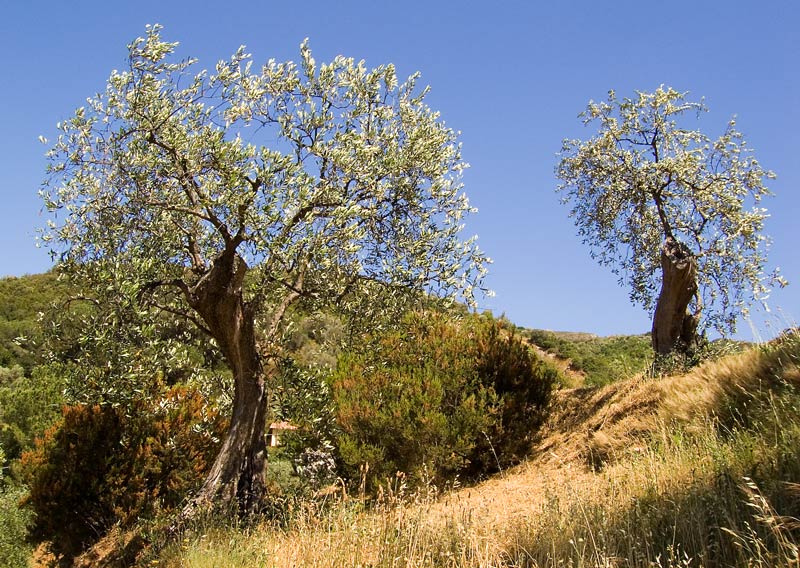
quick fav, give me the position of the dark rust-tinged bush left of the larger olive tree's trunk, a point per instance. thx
(100, 466)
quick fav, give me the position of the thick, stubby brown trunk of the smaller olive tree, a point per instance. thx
(674, 328)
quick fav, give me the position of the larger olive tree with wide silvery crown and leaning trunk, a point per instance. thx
(226, 197)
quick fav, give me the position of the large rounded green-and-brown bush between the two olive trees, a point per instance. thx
(439, 399)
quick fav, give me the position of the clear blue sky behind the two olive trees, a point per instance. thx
(512, 76)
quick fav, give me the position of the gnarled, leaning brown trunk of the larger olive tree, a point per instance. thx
(236, 480)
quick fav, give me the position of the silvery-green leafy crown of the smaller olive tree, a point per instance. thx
(643, 177)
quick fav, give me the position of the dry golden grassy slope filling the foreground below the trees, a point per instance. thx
(700, 469)
